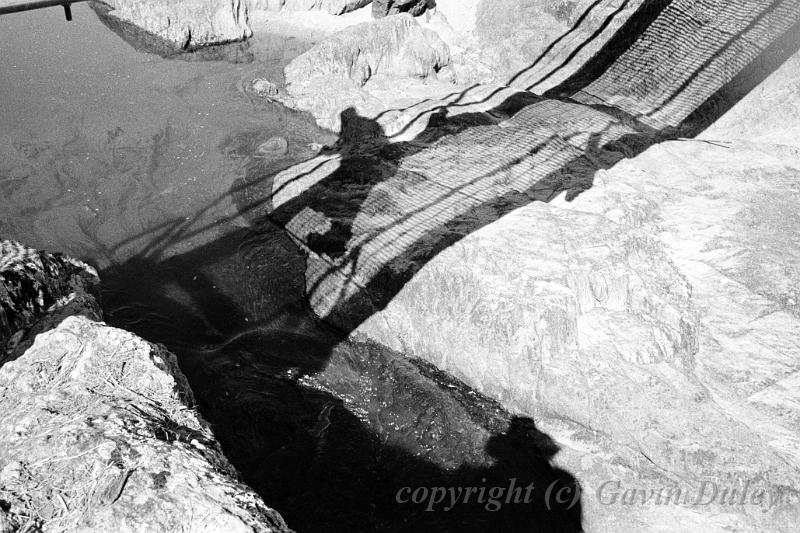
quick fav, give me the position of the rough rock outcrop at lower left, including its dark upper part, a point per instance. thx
(100, 432)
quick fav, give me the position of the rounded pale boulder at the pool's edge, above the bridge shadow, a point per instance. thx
(329, 78)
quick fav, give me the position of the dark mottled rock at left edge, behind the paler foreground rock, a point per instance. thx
(38, 289)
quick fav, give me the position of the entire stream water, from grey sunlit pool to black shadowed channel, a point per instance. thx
(137, 163)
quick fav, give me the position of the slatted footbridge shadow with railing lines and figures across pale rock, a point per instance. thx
(377, 214)
